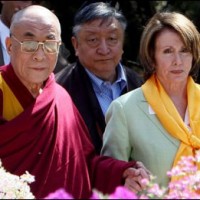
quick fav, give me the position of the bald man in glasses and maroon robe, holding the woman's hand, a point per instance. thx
(41, 130)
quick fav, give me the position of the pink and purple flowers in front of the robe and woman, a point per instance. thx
(187, 185)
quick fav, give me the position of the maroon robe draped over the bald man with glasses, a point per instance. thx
(50, 141)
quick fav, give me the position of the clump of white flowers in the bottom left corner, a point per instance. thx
(15, 187)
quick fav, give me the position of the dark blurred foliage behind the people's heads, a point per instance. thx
(136, 12)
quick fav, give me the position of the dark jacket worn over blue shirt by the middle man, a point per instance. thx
(76, 81)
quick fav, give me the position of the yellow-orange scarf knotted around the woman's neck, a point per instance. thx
(170, 118)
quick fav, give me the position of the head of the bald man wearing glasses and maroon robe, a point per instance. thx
(29, 46)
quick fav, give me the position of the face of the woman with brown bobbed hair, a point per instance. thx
(173, 61)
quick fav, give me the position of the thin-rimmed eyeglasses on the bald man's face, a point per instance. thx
(29, 46)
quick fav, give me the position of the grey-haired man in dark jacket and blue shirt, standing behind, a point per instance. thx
(98, 77)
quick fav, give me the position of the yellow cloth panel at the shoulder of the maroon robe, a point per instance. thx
(11, 106)
